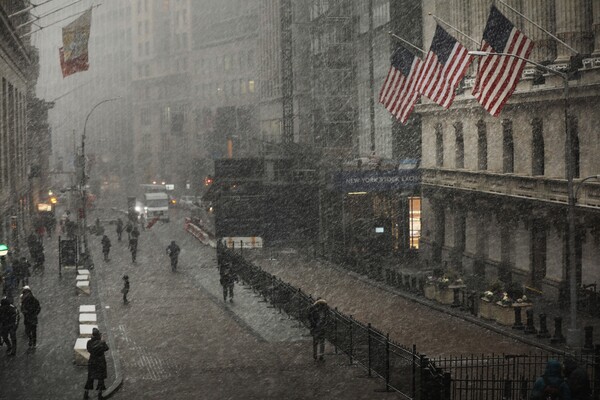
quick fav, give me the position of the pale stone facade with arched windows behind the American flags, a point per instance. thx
(495, 188)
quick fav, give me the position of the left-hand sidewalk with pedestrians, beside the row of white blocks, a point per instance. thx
(48, 371)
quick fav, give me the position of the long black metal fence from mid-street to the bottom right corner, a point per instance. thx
(402, 368)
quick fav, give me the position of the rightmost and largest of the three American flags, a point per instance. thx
(498, 76)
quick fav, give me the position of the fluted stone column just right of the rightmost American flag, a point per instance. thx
(543, 13)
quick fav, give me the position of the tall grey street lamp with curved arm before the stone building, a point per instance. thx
(573, 333)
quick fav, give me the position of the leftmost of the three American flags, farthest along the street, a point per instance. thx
(399, 92)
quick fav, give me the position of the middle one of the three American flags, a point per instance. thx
(444, 67)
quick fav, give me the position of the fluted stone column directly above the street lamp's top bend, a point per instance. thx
(574, 27)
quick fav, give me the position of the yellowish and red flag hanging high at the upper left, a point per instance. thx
(74, 53)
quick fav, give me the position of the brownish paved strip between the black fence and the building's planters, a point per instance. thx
(436, 329)
